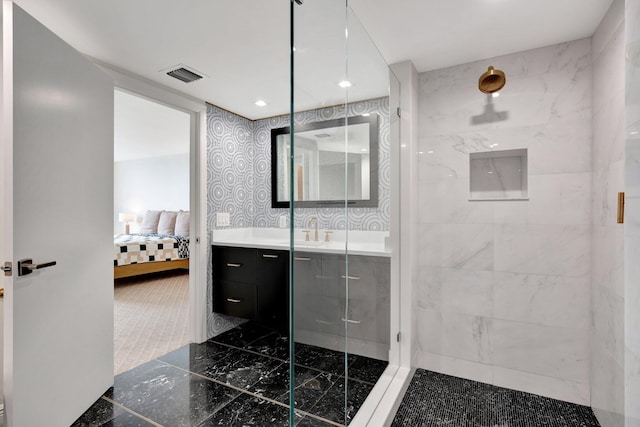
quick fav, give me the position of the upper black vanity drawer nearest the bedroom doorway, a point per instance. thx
(234, 264)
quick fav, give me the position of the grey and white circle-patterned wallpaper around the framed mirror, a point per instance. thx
(239, 179)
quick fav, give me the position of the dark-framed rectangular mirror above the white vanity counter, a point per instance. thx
(320, 176)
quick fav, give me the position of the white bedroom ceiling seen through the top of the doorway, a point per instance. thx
(144, 129)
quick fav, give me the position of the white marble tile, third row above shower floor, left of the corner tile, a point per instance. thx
(467, 292)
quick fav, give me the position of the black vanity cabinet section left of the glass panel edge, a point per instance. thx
(251, 283)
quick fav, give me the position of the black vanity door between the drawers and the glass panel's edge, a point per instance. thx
(272, 283)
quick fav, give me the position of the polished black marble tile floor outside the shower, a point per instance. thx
(239, 378)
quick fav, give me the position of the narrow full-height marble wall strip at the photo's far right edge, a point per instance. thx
(632, 216)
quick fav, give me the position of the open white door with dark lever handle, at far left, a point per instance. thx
(57, 154)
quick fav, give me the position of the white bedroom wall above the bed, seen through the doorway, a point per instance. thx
(155, 183)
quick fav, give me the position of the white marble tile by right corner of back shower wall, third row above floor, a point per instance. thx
(544, 300)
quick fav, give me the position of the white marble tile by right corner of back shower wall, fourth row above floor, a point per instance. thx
(559, 250)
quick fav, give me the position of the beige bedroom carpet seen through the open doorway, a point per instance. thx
(151, 317)
